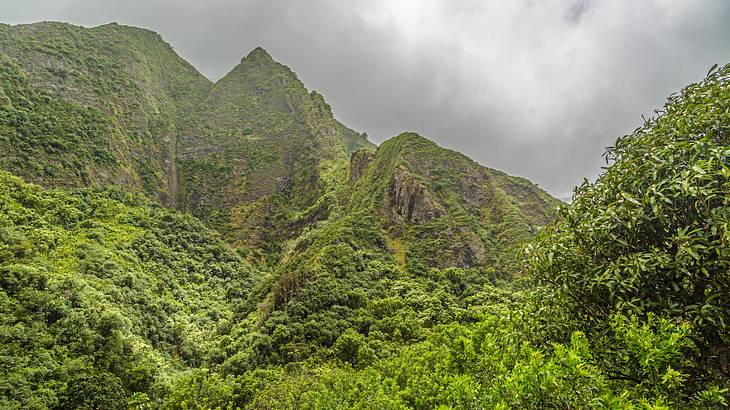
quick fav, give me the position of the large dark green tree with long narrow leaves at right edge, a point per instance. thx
(650, 236)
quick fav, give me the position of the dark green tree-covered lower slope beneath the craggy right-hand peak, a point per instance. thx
(340, 295)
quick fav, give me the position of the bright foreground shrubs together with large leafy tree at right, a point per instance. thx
(624, 306)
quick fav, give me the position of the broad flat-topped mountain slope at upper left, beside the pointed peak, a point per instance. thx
(94, 106)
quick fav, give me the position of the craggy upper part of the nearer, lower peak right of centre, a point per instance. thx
(443, 209)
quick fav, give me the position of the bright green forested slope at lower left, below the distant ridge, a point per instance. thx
(103, 294)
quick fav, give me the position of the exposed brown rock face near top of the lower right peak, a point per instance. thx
(410, 201)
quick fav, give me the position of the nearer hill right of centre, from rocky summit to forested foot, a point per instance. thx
(415, 236)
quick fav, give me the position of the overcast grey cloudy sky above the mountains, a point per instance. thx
(536, 88)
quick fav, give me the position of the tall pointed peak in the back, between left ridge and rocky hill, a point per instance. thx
(258, 151)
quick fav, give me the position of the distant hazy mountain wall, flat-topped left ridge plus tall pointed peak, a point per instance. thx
(116, 105)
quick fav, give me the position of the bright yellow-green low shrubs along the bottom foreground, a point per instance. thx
(493, 364)
